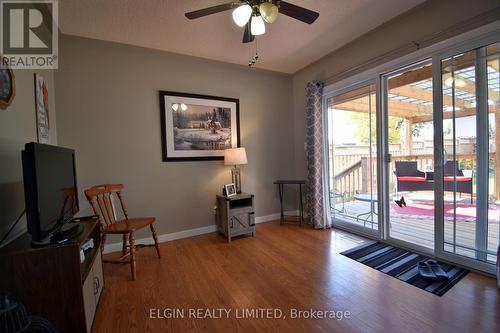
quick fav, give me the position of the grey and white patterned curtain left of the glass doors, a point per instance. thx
(314, 156)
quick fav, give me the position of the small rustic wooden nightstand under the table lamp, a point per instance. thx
(235, 215)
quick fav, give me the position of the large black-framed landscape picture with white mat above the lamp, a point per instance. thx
(198, 127)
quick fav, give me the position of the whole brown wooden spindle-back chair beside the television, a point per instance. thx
(101, 199)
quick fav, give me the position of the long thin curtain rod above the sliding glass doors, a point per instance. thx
(456, 29)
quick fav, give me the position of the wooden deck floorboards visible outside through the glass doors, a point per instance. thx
(420, 230)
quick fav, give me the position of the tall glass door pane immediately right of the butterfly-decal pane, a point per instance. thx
(460, 148)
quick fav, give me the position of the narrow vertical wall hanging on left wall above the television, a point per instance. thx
(42, 109)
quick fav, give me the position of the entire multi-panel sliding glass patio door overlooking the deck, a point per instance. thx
(414, 155)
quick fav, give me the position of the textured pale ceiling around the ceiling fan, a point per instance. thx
(287, 46)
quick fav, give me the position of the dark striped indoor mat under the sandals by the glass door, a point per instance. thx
(402, 264)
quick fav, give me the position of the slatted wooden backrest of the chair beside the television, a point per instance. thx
(101, 199)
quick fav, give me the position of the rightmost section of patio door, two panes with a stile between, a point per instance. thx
(470, 179)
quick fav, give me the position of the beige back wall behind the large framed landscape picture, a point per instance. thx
(108, 110)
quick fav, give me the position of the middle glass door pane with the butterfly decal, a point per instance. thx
(409, 139)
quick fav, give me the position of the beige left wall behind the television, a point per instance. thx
(17, 127)
